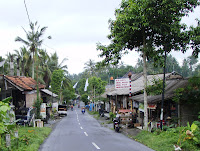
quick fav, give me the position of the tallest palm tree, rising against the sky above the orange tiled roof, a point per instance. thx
(33, 40)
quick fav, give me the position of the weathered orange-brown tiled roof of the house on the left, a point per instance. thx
(25, 83)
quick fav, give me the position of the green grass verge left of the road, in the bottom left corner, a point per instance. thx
(30, 138)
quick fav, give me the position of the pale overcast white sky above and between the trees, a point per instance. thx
(75, 27)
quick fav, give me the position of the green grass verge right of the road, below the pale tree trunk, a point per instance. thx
(165, 140)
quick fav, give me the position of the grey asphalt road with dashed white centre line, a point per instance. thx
(81, 132)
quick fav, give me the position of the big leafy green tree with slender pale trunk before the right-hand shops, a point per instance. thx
(142, 25)
